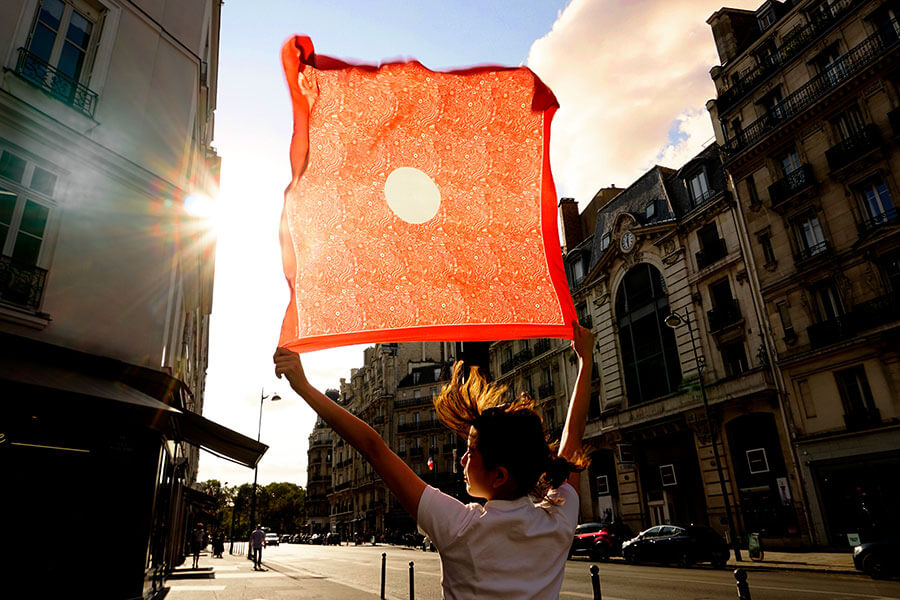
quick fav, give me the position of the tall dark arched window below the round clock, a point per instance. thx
(649, 355)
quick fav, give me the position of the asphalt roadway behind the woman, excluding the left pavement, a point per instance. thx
(360, 567)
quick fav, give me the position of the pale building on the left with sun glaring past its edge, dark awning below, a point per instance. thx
(106, 124)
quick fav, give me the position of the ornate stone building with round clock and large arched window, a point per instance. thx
(668, 244)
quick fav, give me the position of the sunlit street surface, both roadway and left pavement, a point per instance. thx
(349, 572)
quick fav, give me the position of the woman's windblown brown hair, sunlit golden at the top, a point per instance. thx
(508, 434)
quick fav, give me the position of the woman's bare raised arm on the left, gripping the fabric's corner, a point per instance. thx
(401, 480)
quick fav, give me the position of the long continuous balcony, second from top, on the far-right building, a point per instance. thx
(861, 56)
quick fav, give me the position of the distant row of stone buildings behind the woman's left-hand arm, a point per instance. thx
(393, 393)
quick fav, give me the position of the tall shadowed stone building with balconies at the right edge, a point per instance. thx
(807, 113)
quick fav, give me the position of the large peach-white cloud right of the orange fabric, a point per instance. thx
(626, 74)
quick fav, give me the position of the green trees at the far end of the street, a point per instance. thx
(280, 506)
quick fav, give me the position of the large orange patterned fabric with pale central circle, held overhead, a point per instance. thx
(486, 266)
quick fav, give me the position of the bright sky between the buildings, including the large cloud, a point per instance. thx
(632, 80)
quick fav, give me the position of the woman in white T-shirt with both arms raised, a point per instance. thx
(516, 544)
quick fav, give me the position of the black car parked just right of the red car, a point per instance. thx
(683, 546)
